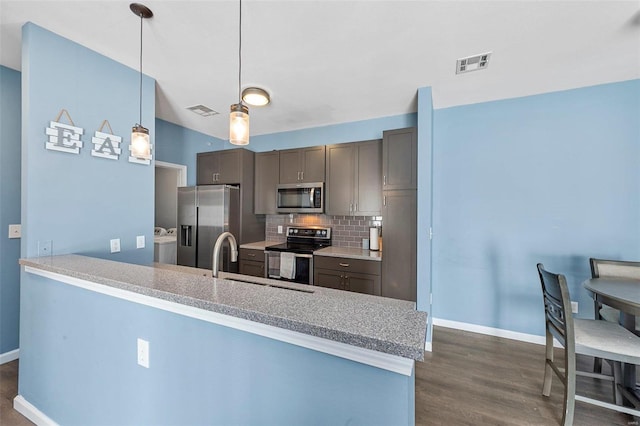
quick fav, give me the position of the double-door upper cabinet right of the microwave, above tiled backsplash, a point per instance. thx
(354, 181)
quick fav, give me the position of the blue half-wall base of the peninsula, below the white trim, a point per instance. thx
(78, 363)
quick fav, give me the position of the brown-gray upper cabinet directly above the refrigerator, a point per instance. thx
(220, 167)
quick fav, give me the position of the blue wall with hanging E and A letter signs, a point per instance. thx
(80, 202)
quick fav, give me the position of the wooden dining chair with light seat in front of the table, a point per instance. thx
(596, 338)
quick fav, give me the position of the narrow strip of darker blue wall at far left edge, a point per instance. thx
(9, 207)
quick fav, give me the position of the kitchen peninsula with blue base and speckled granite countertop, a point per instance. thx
(231, 350)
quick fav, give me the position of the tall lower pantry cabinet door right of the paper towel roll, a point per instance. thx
(399, 213)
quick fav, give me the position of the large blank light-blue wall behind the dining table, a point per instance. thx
(552, 178)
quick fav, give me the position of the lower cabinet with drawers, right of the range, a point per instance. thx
(360, 276)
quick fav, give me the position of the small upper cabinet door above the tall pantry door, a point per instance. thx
(399, 159)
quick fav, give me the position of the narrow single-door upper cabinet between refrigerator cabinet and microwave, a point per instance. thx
(266, 181)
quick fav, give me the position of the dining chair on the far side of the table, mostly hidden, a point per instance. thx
(605, 268)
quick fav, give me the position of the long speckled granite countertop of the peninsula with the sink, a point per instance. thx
(381, 324)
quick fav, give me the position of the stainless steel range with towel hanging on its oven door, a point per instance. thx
(293, 260)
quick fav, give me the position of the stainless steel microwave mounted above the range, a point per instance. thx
(300, 198)
